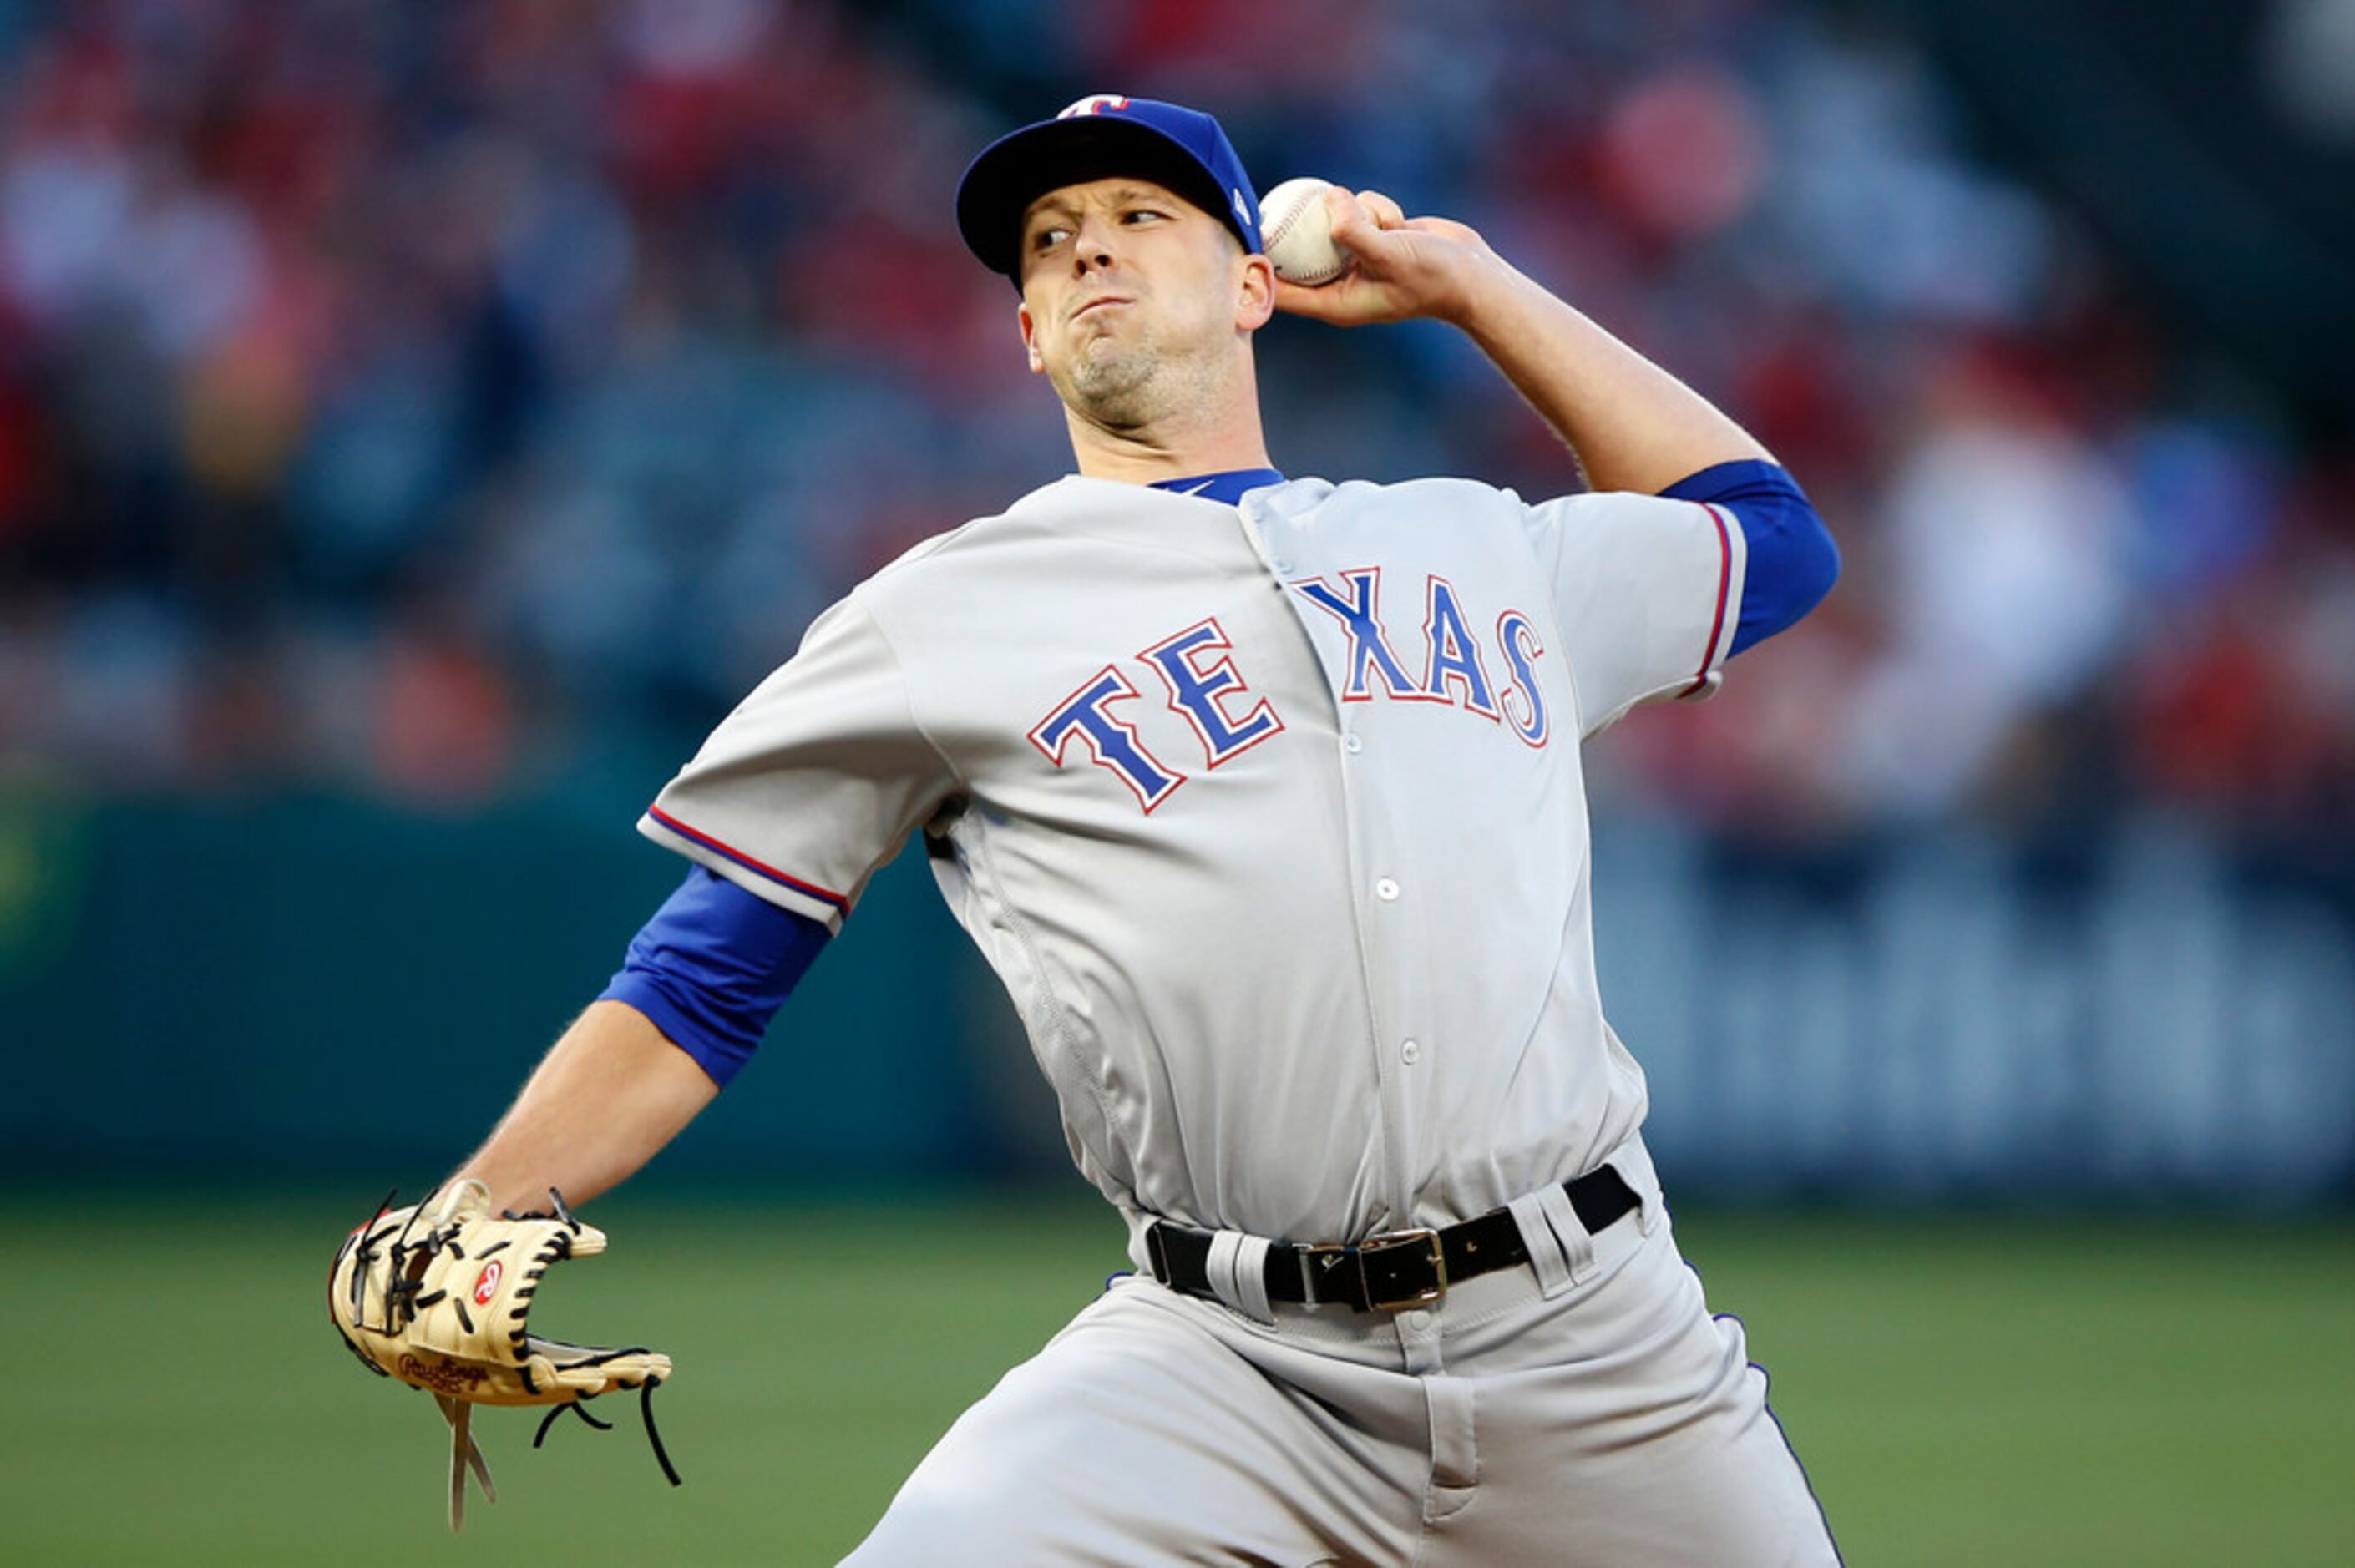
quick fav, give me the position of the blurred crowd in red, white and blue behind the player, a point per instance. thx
(442, 406)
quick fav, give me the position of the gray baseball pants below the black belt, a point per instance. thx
(1579, 1411)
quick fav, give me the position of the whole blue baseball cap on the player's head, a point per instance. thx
(1099, 138)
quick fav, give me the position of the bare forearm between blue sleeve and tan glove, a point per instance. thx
(606, 1098)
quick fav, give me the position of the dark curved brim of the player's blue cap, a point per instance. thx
(1037, 159)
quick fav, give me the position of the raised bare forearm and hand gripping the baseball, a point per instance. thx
(1628, 423)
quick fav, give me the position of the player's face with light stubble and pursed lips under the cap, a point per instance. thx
(1136, 300)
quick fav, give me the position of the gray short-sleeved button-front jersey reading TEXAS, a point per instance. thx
(1271, 818)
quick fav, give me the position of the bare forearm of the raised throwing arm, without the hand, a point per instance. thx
(1633, 425)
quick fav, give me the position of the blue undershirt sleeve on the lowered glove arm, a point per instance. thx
(715, 966)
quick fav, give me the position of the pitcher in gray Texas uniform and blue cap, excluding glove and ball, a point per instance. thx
(1263, 797)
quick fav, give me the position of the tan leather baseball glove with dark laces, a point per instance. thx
(442, 1296)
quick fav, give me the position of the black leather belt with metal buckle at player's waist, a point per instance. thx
(1393, 1270)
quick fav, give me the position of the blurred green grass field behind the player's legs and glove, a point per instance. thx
(2163, 1390)
